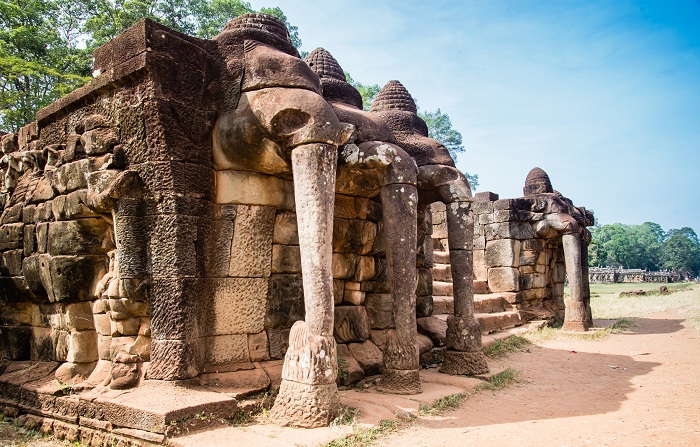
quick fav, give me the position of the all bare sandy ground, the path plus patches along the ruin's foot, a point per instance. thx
(640, 388)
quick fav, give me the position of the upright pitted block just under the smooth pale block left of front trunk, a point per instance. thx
(251, 249)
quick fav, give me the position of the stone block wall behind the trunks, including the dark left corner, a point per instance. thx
(121, 245)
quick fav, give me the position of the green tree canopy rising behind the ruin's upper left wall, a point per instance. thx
(46, 45)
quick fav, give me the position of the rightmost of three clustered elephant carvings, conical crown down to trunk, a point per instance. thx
(439, 180)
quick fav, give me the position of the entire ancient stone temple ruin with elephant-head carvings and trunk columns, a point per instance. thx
(208, 219)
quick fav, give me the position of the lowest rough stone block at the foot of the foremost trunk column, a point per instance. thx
(304, 405)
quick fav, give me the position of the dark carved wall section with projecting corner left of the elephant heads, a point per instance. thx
(143, 113)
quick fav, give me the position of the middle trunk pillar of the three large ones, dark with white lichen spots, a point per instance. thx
(401, 357)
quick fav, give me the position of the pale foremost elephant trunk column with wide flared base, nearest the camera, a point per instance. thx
(308, 394)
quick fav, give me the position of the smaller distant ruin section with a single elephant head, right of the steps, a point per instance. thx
(525, 249)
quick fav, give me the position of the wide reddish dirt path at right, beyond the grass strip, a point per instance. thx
(631, 389)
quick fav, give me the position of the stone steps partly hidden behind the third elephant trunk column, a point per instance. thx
(494, 312)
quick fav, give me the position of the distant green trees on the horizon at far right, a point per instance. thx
(645, 246)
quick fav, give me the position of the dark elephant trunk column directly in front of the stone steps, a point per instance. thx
(463, 354)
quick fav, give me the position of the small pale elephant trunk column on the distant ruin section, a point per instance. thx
(575, 317)
